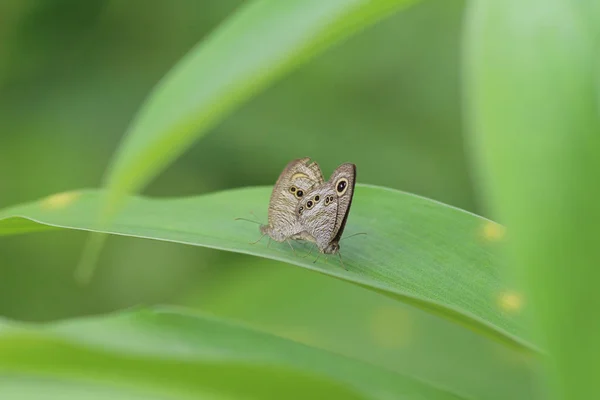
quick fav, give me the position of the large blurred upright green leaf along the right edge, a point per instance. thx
(532, 82)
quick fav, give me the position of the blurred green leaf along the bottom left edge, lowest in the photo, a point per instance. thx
(167, 354)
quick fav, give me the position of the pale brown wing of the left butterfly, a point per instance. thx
(298, 178)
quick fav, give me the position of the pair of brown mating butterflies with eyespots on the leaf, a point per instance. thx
(304, 206)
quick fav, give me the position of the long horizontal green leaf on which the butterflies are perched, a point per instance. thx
(416, 250)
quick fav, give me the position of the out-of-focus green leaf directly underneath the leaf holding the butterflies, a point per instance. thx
(366, 326)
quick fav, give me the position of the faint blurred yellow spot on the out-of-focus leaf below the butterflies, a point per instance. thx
(391, 327)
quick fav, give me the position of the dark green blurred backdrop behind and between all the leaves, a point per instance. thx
(73, 74)
